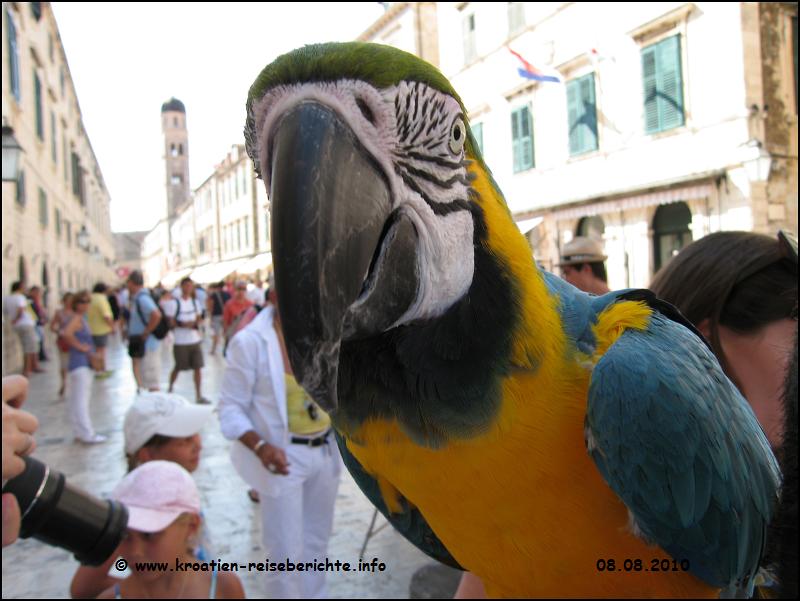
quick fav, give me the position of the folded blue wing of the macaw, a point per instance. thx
(682, 449)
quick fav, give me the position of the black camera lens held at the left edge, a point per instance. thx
(64, 516)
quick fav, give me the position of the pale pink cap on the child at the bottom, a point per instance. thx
(156, 493)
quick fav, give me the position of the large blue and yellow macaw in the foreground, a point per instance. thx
(503, 421)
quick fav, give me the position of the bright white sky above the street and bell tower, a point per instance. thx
(126, 59)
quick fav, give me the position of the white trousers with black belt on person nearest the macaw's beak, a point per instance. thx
(296, 525)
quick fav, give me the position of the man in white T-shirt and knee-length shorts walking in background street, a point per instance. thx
(185, 318)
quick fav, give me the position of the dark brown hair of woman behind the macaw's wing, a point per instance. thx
(739, 280)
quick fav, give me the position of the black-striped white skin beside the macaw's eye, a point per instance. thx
(423, 159)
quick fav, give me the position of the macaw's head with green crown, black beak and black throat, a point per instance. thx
(381, 218)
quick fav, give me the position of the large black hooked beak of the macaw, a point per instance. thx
(345, 261)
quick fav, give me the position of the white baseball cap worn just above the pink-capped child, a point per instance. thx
(162, 413)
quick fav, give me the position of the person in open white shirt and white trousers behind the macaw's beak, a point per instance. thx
(296, 475)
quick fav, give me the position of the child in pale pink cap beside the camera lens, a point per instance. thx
(163, 523)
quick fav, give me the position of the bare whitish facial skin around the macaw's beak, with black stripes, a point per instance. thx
(408, 130)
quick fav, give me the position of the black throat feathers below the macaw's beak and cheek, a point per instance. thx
(440, 378)
